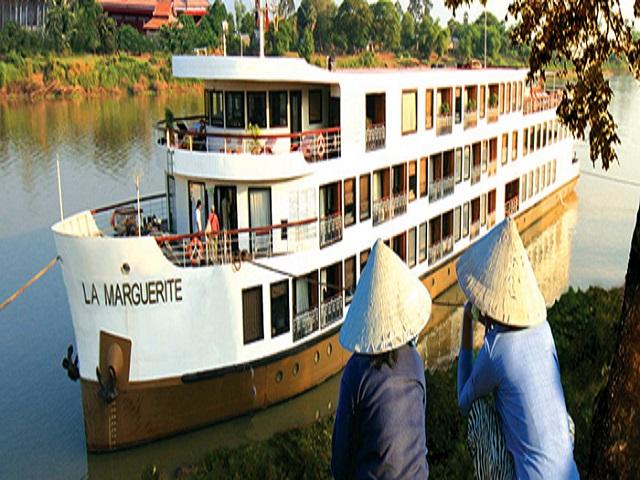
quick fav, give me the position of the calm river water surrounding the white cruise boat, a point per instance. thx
(101, 143)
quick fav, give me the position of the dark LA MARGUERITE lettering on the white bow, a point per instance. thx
(134, 294)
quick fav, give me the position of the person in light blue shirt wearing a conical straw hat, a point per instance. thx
(528, 435)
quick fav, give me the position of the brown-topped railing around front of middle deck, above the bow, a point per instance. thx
(234, 246)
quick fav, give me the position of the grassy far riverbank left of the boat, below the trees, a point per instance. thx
(90, 75)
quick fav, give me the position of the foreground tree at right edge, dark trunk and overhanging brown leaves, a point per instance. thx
(585, 35)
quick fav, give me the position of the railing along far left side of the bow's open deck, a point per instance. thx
(121, 219)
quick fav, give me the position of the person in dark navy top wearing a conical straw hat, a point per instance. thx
(379, 430)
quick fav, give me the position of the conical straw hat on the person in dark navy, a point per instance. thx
(389, 308)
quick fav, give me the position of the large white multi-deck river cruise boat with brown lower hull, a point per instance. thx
(306, 167)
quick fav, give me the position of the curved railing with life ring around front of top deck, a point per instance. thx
(315, 145)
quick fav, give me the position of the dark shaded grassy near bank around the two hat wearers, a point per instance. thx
(584, 328)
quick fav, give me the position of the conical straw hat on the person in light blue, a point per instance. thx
(496, 276)
